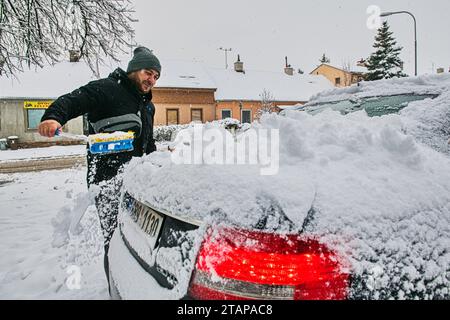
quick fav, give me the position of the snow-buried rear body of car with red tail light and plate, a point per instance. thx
(358, 209)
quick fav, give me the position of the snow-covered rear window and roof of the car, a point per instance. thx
(421, 100)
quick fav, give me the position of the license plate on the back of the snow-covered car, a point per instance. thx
(149, 221)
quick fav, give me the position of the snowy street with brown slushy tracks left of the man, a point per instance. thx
(36, 159)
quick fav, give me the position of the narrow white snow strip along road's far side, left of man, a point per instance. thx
(33, 153)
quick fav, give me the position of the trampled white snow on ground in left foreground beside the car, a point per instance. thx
(39, 258)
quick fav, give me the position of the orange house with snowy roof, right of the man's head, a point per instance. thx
(191, 91)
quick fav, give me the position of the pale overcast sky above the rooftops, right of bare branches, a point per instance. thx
(263, 32)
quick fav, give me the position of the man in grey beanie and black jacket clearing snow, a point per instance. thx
(121, 95)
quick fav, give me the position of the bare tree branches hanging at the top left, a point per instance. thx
(36, 32)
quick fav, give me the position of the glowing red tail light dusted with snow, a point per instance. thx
(240, 264)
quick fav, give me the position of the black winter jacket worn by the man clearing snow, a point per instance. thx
(109, 97)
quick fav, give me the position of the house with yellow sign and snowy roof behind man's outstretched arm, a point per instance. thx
(23, 101)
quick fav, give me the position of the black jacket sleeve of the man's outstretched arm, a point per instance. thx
(74, 104)
